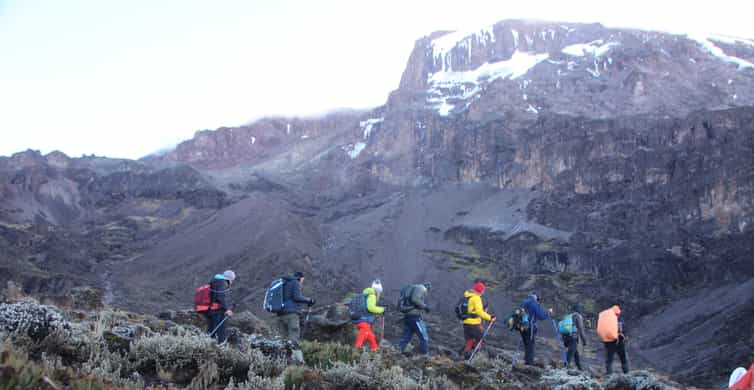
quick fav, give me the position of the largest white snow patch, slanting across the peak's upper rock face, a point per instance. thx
(462, 86)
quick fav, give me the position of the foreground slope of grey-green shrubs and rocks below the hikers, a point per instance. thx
(45, 347)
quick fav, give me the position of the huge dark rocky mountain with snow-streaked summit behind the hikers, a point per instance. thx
(598, 165)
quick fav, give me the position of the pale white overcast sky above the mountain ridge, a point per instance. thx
(126, 78)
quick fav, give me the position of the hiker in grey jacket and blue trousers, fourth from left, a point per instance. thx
(412, 304)
